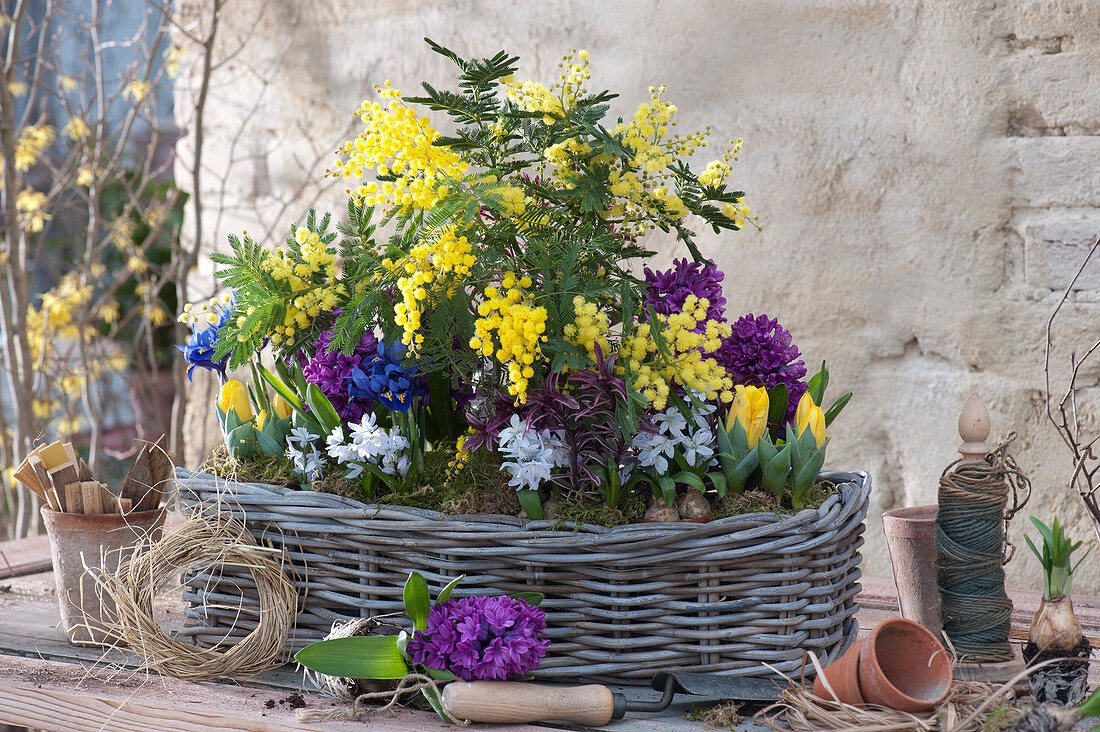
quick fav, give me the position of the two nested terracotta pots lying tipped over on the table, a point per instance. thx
(901, 665)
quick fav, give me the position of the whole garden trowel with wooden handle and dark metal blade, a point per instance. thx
(592, 705)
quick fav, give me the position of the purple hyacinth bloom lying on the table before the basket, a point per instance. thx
(482, 639)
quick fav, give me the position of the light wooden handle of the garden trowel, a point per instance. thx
(514, 702)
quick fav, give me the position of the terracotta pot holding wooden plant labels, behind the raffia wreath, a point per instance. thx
(80, 543)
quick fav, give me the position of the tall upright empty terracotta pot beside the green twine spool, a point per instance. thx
(911, 538)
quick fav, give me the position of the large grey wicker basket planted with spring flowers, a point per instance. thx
(622, 604)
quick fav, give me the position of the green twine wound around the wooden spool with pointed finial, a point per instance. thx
(972, 552)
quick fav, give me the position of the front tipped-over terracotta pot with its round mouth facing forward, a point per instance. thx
(904, 667)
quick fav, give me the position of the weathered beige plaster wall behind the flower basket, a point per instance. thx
(928, 176)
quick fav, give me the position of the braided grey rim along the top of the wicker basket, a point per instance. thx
(853, 490)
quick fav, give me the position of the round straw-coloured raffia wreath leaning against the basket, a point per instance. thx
(201, 543)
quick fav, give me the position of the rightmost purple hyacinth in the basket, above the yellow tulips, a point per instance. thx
(760, 353)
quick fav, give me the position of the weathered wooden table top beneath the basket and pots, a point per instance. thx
(47, 683)
